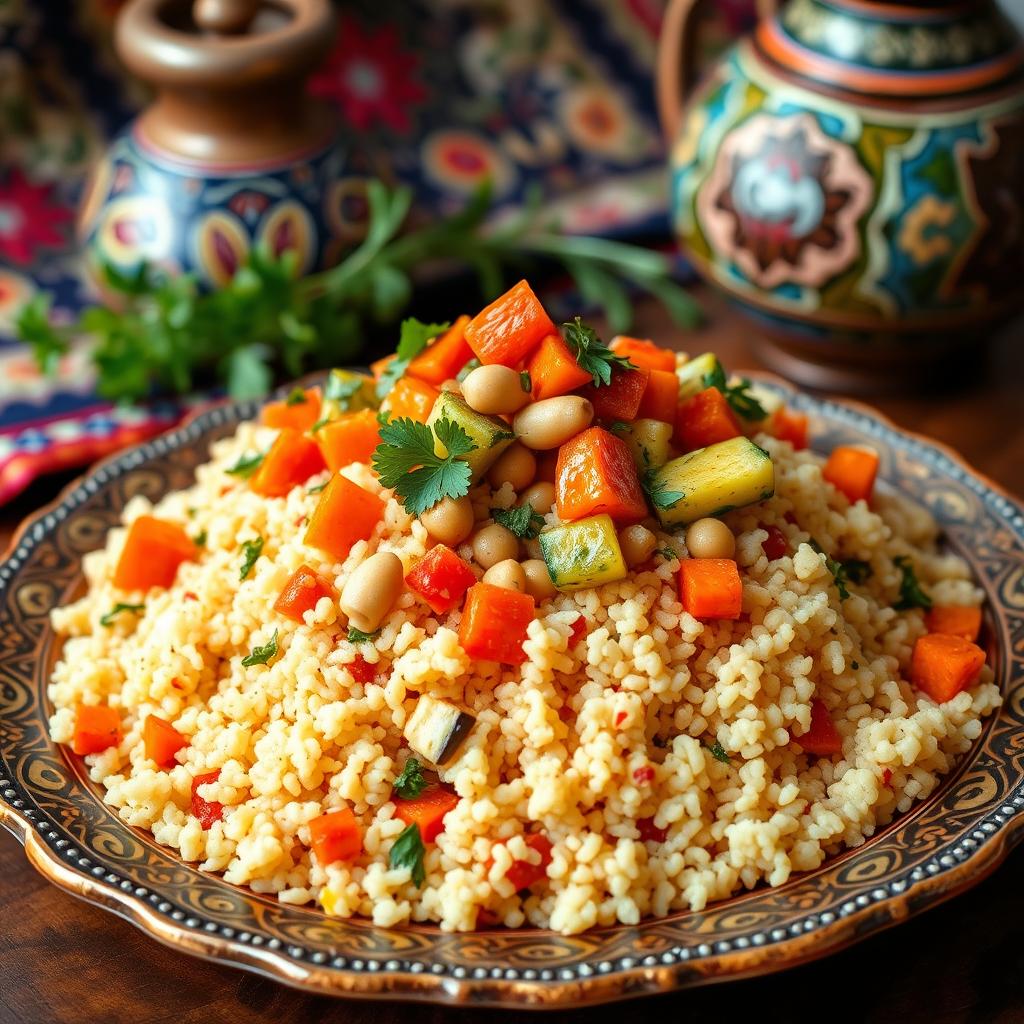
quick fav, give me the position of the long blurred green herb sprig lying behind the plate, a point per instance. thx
(163, 332)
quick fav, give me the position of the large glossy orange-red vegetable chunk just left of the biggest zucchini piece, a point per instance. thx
(598, 474)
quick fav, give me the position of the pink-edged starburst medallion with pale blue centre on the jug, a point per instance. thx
(783, 202)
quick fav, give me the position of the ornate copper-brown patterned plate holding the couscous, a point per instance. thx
(941, 848)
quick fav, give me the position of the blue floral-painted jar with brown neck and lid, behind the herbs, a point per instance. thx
(232, 154)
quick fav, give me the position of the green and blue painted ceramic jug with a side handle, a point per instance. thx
(852, 175)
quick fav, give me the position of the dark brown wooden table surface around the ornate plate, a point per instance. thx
(65, 962)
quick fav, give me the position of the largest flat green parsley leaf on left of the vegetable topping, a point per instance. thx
(406, 461)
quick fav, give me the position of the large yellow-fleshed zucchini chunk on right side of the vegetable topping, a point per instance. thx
(712, 482)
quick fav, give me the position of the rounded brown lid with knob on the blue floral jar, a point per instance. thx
(228, 45)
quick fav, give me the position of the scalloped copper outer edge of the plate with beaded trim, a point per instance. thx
(951, 870)
